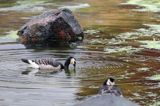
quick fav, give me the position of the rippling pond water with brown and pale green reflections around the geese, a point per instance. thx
(121, 40)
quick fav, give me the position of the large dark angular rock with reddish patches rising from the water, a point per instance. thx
(51, 29)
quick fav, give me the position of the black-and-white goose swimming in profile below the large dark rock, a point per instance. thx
(51, 64)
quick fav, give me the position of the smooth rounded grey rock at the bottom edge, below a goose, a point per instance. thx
(107, 100)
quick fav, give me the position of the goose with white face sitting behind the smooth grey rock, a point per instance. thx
(110, 88)
